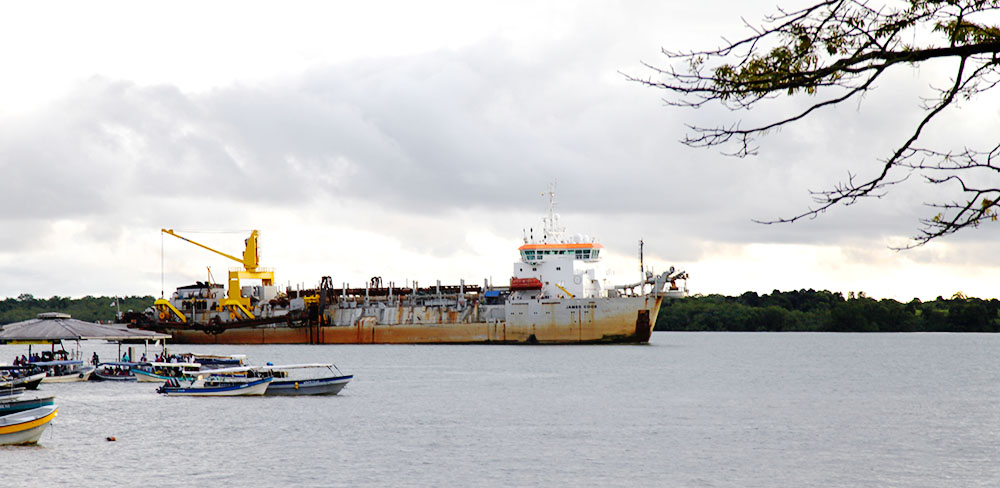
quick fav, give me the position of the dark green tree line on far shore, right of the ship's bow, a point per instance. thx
(825, 311)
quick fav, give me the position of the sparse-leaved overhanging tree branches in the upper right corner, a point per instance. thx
(835, 51)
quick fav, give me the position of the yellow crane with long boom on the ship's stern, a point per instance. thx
(235, 302)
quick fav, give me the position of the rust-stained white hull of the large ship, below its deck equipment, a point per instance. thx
(625, 320)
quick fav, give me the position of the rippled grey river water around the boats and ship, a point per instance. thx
(687, 410)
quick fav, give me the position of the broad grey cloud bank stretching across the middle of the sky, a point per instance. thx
(474, 133)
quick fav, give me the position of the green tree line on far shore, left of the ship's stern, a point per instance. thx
(88, 308)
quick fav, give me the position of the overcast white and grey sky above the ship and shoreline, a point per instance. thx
(414, 141)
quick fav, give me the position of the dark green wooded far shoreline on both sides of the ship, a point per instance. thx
(791, 311)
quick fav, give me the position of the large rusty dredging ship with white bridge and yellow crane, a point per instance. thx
(558, 294)
